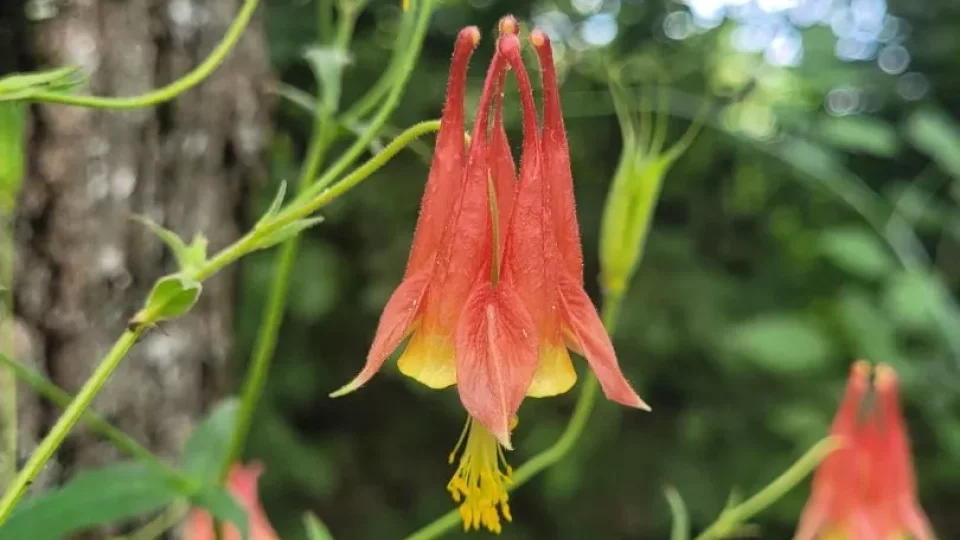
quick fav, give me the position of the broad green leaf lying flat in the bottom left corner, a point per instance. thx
(113, 493)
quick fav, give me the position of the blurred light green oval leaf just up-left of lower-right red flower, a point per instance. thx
(784, 342)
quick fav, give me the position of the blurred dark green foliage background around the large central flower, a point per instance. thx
(814, 220)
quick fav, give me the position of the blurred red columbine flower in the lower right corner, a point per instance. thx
(866, 490)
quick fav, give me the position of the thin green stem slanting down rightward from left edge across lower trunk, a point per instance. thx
(96, 422)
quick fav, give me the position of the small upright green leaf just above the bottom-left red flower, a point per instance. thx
(209, 443)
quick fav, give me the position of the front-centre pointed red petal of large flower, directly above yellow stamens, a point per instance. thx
(496, 351)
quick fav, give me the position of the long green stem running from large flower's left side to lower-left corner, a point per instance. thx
(149, 316)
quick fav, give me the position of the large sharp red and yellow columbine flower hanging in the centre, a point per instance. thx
(493, 292)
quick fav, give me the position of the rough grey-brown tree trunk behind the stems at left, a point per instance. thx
(83, 266)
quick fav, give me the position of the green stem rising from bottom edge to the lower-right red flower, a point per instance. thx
(730, 519)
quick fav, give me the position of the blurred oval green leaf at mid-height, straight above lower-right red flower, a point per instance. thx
(858, 251)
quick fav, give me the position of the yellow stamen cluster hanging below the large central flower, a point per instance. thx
(481, 480)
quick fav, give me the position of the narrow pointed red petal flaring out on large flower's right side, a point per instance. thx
(581, 317)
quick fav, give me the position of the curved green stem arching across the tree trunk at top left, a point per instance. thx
(172, 90)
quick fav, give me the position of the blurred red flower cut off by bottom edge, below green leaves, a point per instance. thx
(242, 484)
